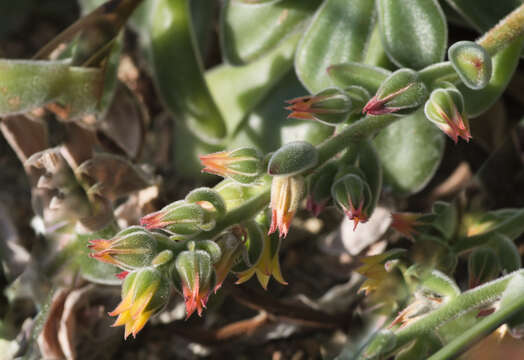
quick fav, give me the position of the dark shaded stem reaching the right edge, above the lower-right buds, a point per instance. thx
(512, 227)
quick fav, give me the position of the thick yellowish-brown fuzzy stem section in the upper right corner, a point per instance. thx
(505, 32)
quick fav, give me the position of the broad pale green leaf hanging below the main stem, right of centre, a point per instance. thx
(410, 151)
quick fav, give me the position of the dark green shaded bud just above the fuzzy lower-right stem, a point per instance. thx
(483, 266)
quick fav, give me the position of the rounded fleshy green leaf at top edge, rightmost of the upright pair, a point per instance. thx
(414, 32)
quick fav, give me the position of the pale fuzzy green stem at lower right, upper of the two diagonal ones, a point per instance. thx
(471, 299)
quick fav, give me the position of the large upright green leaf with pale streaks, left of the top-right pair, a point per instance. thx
(339, 32)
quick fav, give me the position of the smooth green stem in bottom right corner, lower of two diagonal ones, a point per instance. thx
(479, 330)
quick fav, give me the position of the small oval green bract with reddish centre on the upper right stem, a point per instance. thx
(472, 63)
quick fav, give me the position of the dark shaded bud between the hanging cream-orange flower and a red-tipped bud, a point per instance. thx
(319, 188)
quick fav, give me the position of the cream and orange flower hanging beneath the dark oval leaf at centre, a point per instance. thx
(286, 193)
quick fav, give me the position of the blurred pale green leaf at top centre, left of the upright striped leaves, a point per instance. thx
(249, 32)
